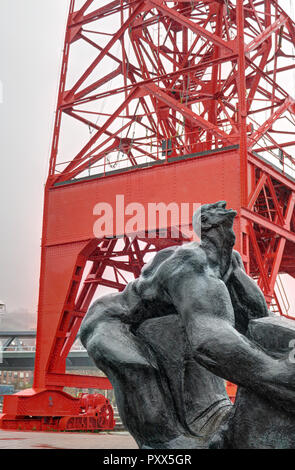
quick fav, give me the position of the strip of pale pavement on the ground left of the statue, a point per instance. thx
(65, 440)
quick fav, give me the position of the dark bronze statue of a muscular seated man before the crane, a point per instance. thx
(168, 341)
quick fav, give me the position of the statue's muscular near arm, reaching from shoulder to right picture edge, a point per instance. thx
(205, 307)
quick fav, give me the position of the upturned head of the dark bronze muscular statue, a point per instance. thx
(212, 216)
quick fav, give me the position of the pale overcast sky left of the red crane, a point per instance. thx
(32, 34)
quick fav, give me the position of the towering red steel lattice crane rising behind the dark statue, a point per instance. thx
(179, 102)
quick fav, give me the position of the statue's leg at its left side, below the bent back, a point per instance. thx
(142, 395)
